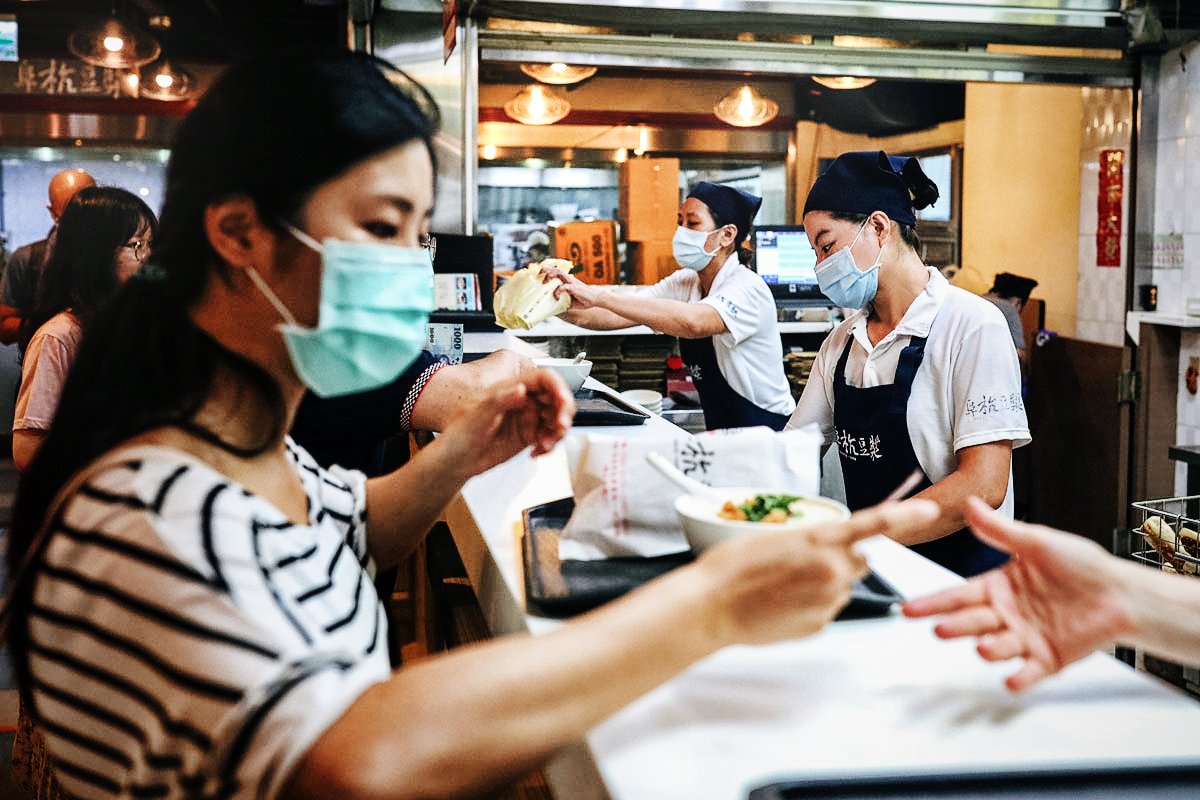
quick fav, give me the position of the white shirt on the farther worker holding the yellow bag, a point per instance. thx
(751, 353)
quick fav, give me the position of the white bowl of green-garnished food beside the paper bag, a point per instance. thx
(704, 526)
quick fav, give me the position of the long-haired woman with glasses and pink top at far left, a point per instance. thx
(103, 239)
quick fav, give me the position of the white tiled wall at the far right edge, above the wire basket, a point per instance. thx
(1177, 212)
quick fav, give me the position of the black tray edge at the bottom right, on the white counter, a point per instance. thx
(1100, 783)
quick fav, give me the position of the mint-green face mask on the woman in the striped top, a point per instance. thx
(375, 306)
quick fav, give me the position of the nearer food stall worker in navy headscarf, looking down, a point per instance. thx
(923, 376)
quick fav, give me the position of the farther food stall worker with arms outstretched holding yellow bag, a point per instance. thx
(723, 312)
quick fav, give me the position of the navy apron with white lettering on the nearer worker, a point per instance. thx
(877, 453)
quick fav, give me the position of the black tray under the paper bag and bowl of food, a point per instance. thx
(557, 588)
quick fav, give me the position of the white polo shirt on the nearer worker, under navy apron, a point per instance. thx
(967, 393)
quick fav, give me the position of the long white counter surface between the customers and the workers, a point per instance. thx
(861, 697)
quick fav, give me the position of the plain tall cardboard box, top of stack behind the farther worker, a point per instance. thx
(649, 199)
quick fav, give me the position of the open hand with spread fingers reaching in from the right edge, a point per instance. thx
(1058, 600)
